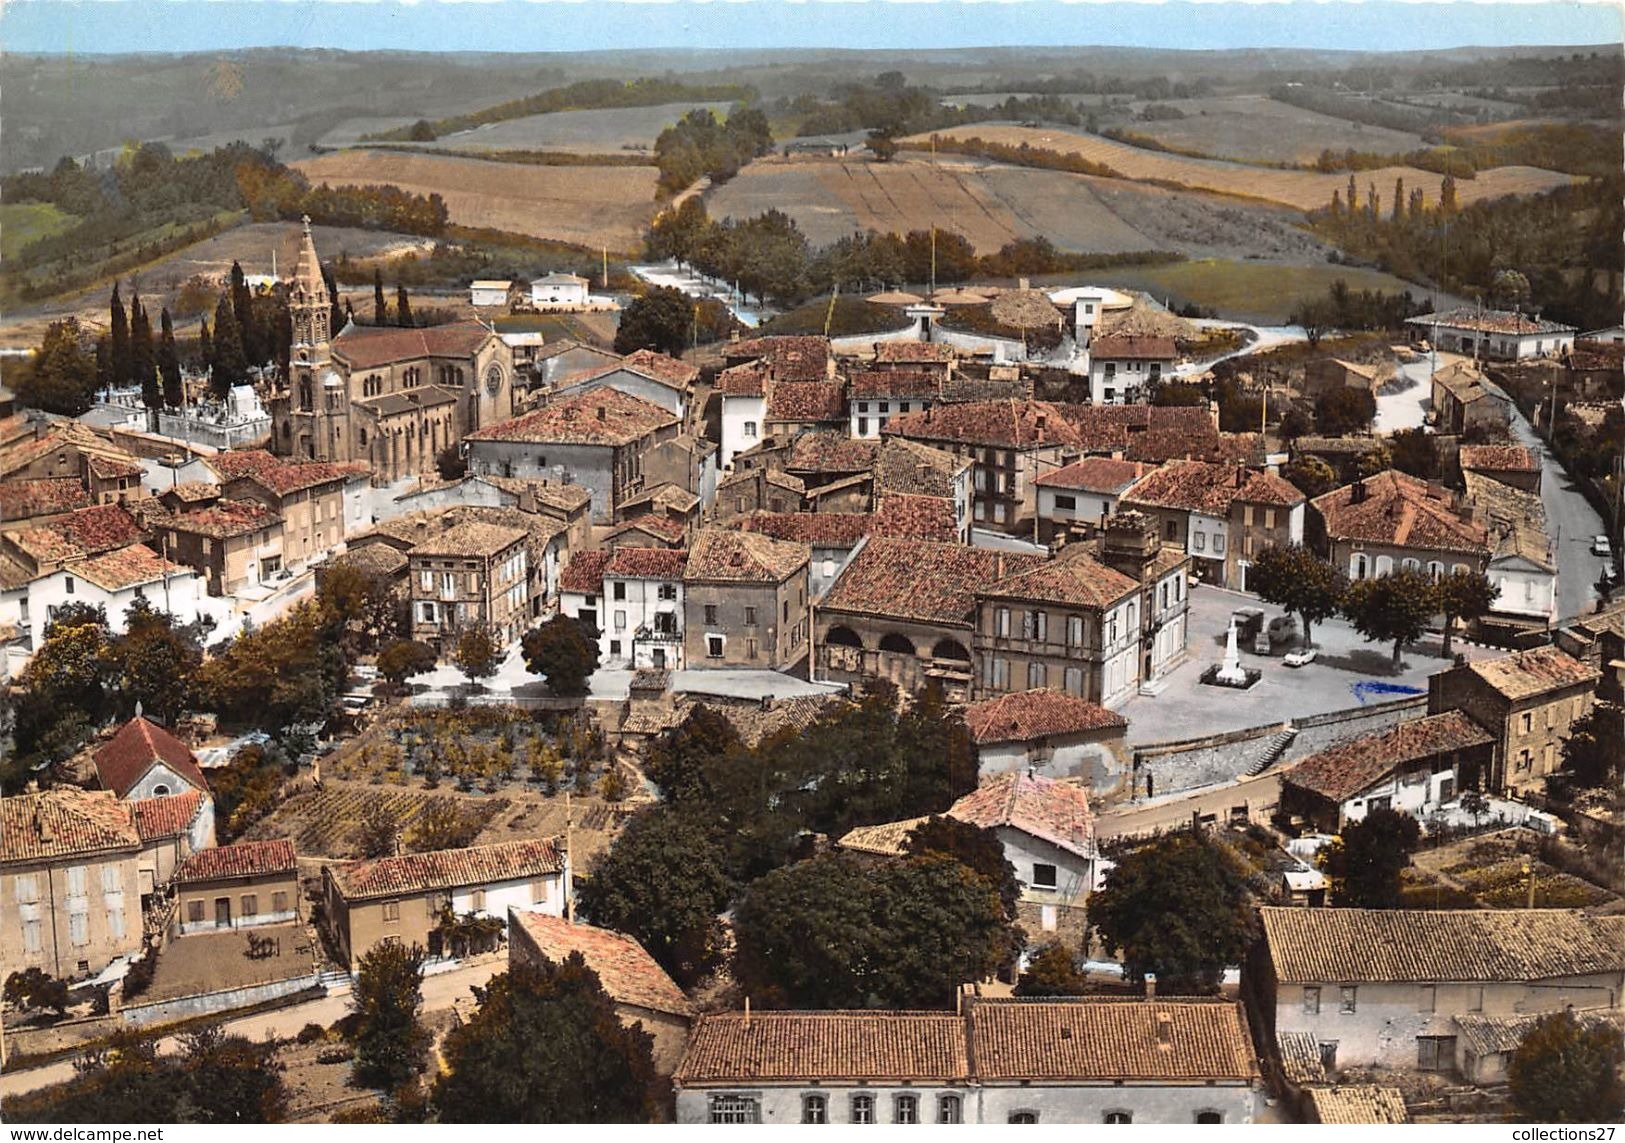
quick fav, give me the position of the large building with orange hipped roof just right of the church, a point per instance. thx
(596, 440)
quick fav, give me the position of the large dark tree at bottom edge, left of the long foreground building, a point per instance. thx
(547, 1046)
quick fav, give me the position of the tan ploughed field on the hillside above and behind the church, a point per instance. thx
(586, 206)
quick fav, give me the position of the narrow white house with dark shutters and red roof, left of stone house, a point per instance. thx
(643, 609)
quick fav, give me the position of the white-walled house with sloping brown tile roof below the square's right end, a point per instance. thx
(1415, 768)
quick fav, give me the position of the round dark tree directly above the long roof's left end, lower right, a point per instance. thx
(1177, 908)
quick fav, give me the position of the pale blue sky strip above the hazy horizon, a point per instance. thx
(87, 27)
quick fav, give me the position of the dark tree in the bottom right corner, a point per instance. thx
(1569, 1072)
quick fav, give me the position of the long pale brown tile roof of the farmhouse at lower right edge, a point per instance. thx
(1426, 945)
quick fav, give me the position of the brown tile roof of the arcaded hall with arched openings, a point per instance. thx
(921, 581)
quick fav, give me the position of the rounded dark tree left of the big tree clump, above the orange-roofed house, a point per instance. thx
(664, 885)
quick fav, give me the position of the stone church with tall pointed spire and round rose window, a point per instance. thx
(389, 398)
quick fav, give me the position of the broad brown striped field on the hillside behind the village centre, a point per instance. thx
(992, 204)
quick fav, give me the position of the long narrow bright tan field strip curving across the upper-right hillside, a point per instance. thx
(1302, 189)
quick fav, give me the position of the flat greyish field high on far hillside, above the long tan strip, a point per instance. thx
(1259, 129)
